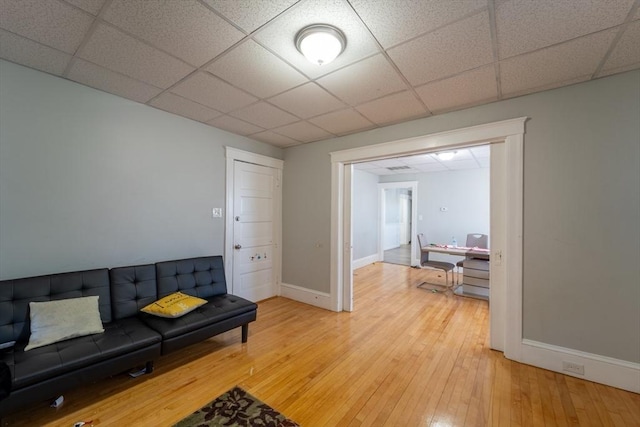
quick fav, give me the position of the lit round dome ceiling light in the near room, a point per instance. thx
(320, 43)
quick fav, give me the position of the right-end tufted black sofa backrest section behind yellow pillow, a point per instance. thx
(202, 277)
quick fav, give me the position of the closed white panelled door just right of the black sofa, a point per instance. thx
(253, 231)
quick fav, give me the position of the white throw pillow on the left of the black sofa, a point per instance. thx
(60, 320)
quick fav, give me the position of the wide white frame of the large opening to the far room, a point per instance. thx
(506, 258)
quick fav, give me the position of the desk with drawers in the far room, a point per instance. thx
(475, 279)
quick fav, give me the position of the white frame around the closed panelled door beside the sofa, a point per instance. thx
(233, 154)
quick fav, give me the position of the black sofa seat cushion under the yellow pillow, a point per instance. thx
(218, 309)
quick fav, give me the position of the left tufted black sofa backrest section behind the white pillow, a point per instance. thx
(16, 294)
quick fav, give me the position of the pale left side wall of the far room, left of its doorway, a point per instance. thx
(365, 214)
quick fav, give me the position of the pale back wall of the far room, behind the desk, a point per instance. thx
(464, 193)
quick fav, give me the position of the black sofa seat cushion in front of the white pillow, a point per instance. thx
(120, 337)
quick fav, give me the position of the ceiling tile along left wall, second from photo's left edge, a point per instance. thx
(109, 81)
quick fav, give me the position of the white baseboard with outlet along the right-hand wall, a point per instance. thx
(601, 369)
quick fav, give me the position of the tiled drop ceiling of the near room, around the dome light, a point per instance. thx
(232, 64)
